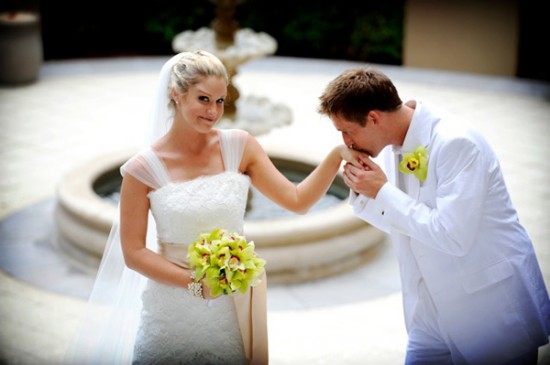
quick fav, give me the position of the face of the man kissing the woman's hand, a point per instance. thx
(360, 138)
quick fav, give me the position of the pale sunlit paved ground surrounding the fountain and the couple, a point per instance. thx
(81, 108)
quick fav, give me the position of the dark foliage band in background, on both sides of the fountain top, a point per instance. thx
(366, 31)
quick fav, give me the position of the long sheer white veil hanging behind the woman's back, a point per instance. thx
(110, 320)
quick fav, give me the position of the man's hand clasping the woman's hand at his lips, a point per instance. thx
(367, 179)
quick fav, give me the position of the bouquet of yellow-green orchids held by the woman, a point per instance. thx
(225, 261)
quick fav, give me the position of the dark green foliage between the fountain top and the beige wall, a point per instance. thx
(367, 31)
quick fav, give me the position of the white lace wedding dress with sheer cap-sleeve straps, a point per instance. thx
(175, 327)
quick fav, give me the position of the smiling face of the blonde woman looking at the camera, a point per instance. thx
(203, 104)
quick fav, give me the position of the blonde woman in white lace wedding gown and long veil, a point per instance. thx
(145, 307)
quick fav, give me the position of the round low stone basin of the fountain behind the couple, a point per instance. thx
(297, 248)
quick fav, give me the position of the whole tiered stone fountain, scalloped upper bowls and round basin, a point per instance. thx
(324, 242)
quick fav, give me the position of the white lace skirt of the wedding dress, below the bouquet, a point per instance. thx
(177, 328)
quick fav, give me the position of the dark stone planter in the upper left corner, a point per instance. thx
(21, 53)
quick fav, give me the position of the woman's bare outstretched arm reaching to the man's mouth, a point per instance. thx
(274, 185)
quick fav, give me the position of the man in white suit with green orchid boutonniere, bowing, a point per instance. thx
(473, 292)
